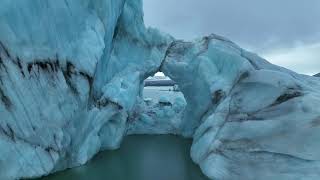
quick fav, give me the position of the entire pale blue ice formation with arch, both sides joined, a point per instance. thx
(71, 80)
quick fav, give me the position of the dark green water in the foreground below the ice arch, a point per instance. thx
(139, 158)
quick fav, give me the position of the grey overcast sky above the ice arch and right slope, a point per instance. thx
(286, 32)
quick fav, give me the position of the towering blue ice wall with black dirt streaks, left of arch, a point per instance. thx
(70, 73)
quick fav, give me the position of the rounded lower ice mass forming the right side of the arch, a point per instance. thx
(252, 119)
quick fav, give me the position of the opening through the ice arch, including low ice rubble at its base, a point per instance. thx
(161, 109)
